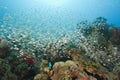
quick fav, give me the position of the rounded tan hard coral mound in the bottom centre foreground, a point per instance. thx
(67, 71)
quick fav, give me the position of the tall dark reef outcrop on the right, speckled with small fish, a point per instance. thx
(101, 42)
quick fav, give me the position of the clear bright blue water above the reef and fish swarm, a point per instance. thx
(62, 13)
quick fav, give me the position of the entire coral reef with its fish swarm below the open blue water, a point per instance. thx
(89, 53)
